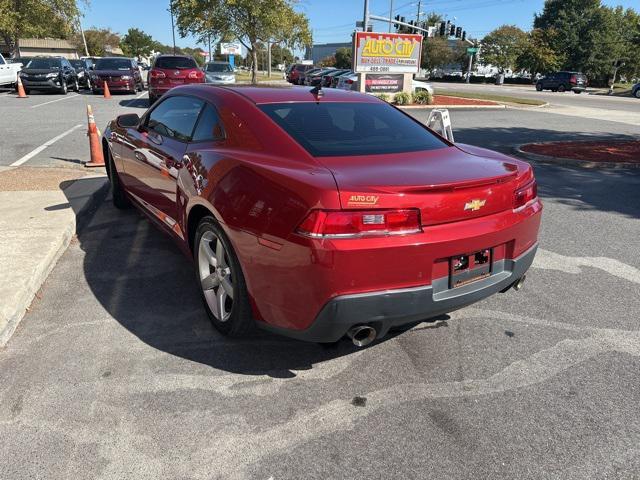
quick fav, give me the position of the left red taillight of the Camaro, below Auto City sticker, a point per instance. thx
(351, 224)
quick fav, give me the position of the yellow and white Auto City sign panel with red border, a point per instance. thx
(387, 52)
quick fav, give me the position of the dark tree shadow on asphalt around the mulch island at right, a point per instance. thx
(608, 190)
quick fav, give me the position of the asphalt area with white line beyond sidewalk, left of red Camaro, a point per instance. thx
(27, 124)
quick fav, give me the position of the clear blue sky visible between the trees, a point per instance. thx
(331, 20)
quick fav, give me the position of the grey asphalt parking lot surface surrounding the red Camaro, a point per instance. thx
(116, 371)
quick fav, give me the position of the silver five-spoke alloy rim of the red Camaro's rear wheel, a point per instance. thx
(216, 276)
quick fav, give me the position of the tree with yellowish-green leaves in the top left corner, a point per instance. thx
(36, 18)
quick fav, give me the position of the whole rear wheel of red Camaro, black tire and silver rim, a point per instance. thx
(221, 282)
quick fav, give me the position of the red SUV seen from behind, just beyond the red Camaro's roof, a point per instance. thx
(169, 71)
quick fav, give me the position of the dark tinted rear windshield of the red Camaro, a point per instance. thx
(344, 129)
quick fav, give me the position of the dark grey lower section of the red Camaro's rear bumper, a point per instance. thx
(392, 308)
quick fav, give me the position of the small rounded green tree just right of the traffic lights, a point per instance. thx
(503, 46)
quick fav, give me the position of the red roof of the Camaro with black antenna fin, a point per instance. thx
(279, 94)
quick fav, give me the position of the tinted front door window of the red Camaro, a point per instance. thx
(175, 117)
